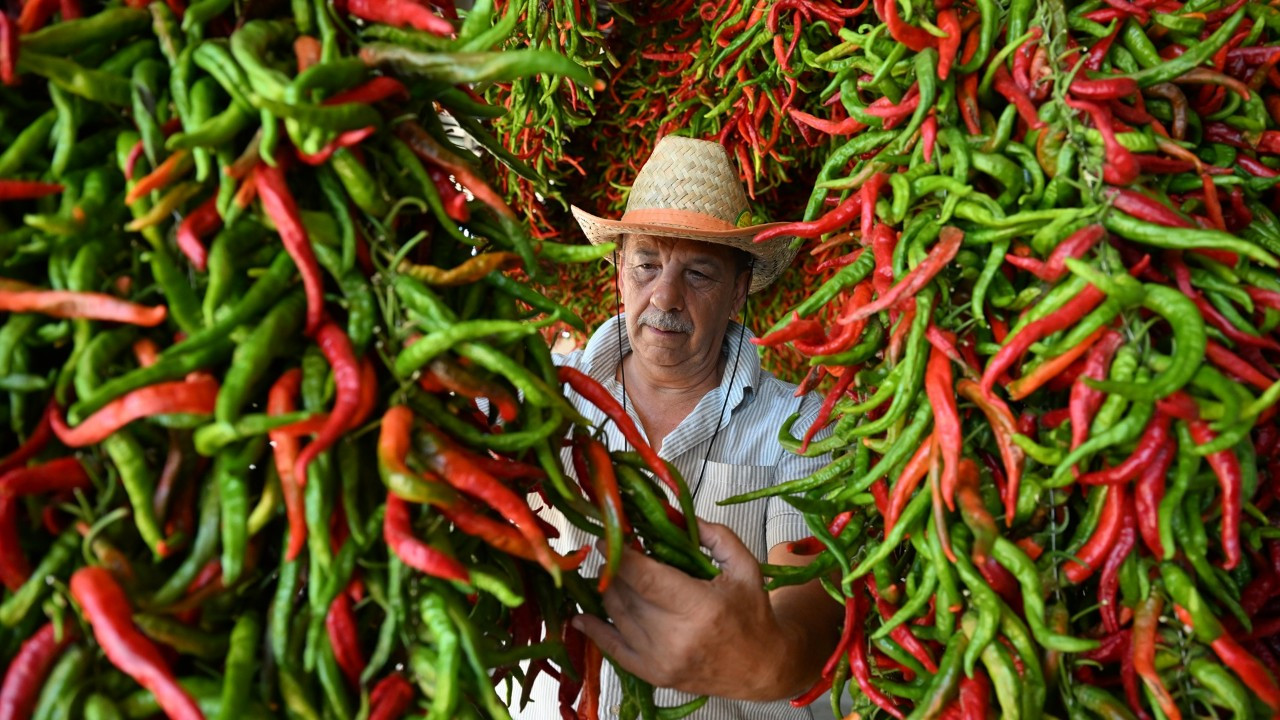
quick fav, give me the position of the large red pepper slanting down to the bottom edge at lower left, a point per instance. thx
(109, 614)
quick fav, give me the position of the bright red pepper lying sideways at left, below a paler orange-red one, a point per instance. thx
(195, 398)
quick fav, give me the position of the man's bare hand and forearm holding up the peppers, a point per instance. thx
(717, 637)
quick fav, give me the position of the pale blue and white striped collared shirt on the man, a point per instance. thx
(744, 457)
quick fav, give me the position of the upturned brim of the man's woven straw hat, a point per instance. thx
(772, 257)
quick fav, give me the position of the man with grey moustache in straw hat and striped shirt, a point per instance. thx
(689, 377)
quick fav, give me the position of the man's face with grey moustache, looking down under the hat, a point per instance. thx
(680, 297)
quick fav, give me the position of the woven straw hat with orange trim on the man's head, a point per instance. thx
(689, 189)
